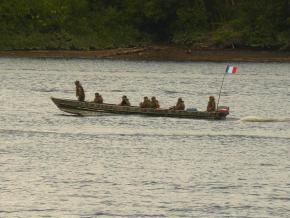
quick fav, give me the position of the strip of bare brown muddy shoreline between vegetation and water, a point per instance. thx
(159, 53)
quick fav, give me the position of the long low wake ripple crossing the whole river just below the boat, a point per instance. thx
(143, 132)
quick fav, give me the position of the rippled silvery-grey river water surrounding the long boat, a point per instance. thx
(57, 165)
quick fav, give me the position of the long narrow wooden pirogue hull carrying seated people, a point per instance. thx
(85, 108)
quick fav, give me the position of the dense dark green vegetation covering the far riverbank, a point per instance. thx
(95, 24)
